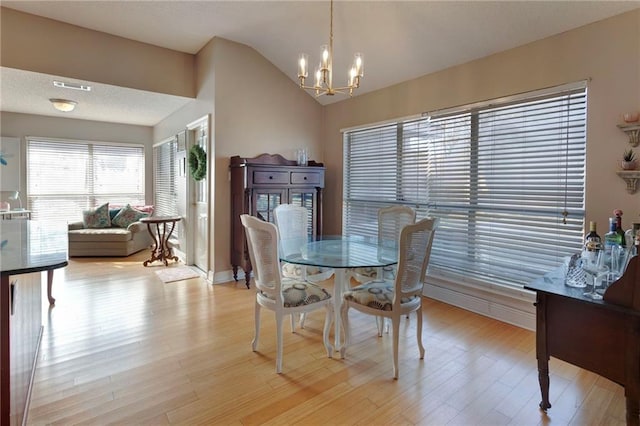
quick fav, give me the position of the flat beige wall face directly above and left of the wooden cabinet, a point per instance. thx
(258, 109)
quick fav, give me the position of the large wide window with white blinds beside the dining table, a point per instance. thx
(498, 175)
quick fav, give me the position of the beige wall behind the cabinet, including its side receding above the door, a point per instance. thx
(254, 109)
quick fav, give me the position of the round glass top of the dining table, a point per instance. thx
(336, 251)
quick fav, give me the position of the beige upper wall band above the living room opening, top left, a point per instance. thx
(46, 46)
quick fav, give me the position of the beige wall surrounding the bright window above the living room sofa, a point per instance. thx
(22, 125)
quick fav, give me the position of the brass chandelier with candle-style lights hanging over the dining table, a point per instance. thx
(324, 73)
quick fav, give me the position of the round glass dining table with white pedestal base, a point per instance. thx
(342, 253)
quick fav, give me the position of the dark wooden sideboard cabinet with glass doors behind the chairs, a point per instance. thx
(260, 184)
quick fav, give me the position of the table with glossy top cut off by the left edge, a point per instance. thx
(27, 249)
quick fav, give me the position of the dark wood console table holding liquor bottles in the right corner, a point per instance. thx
(602, 336)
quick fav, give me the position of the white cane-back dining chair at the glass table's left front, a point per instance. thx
(283, 296)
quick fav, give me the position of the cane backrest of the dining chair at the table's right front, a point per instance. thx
(413, 259)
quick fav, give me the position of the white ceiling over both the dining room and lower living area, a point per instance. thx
(399, 40)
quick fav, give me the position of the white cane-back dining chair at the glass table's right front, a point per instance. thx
(401, 296)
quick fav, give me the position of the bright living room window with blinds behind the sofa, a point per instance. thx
(66, 177)
